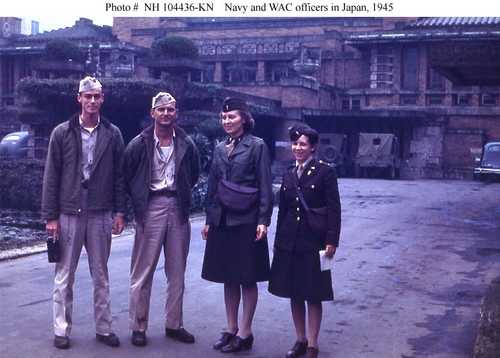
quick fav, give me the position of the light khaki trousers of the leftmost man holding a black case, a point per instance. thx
(92, 230)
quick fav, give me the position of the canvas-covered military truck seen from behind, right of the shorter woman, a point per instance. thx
(377, 156)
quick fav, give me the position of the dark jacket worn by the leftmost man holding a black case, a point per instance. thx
(62, 179)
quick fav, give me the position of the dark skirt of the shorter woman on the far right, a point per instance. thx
(298, 275)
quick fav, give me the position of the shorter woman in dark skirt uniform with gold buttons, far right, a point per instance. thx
(295, 271)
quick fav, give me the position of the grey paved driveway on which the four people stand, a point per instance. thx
(414, 262)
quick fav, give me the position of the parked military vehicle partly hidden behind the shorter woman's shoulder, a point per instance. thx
(333, 150)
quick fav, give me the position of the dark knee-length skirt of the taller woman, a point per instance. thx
(233, 256)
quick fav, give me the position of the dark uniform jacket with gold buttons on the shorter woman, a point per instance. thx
(318, 183)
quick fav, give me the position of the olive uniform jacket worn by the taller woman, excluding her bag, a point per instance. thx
(248, 165)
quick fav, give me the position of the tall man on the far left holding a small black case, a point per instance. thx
(83, 188)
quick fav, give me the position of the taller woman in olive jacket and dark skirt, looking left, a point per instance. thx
(236, 253)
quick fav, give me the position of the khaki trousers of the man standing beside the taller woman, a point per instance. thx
(162, 227)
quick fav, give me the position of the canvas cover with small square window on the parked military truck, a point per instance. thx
(375, 150)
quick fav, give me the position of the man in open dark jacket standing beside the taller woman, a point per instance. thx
(161, 167)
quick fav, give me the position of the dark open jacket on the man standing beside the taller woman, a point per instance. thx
(137, 168)
